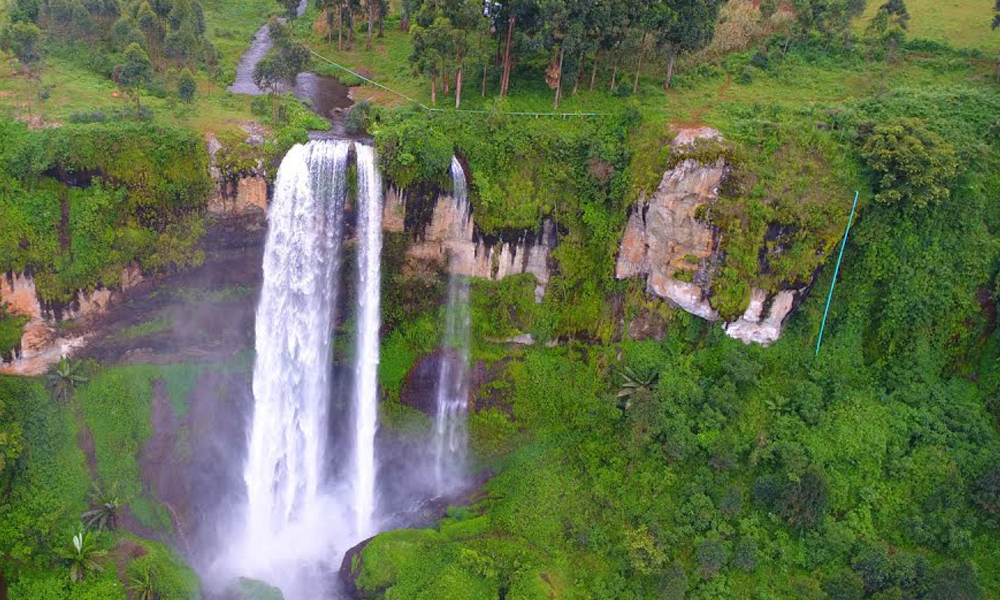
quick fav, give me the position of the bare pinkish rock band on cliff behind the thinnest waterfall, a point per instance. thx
(449, 238)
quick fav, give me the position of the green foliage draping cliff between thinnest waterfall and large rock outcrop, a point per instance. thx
(521, 172)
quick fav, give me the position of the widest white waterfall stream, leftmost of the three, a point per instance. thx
(284, 472)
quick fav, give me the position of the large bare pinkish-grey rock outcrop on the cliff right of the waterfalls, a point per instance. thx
(666, 241)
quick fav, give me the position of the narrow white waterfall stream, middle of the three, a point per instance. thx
(369, 234)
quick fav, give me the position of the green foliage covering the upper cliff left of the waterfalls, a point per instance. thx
(81, 202)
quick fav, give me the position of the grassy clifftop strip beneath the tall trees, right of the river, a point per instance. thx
(697, 97)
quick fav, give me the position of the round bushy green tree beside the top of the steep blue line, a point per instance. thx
(913, 166)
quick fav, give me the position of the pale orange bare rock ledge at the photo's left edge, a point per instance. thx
(44, 342)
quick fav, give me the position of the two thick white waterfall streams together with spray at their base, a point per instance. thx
(304, 507)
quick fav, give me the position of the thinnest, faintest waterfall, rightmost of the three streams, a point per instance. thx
(453, 376)
